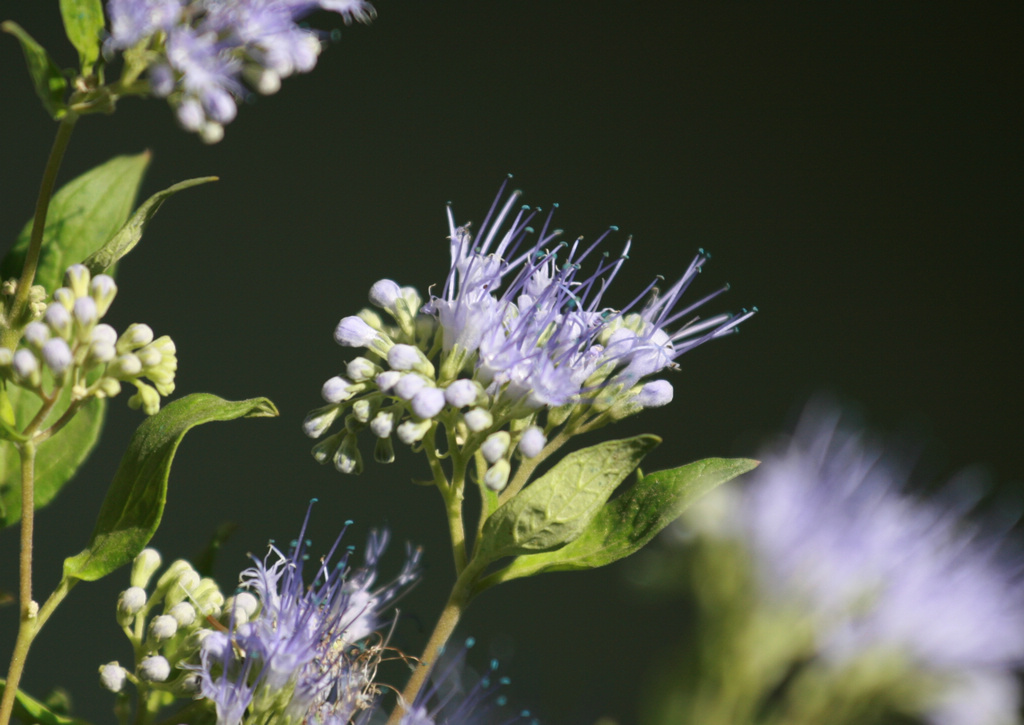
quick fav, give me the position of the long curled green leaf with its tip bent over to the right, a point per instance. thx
(135, 503)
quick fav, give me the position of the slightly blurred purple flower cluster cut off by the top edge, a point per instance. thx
(197, 53)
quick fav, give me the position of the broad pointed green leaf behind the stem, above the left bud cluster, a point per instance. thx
(83, 216)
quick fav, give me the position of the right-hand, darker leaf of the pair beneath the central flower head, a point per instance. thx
(630, 521)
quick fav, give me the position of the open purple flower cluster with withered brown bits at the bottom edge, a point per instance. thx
(296, 653)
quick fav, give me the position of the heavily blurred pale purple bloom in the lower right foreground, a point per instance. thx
(829, 531)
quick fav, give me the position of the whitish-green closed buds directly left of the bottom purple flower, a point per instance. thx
(189, 608)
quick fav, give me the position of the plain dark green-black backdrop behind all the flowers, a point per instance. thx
(855, 168)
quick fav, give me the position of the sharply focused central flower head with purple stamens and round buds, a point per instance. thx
(515, 349)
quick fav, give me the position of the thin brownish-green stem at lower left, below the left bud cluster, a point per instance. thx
(28, 625)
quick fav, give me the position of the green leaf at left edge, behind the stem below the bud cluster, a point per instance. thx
(57, 459)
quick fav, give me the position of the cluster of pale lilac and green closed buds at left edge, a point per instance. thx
(68, 346)
